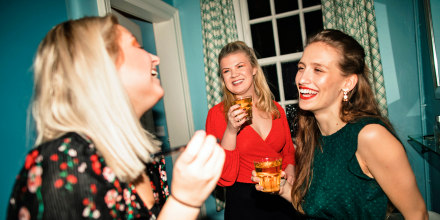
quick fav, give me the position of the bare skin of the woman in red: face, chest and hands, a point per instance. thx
(238, 76)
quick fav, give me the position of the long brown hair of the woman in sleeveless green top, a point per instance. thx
(361, 103)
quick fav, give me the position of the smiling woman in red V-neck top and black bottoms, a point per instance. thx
(266, 134)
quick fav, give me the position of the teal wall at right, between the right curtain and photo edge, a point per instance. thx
(408, 80)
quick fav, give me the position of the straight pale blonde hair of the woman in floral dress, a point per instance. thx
(77, 88)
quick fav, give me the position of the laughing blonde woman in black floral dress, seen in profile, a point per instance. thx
(93, 82)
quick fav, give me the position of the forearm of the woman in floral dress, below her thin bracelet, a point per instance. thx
(173, 209)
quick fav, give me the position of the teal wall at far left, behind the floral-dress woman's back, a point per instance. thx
(23, 24)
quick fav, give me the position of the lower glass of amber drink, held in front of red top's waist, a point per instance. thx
(269, 171)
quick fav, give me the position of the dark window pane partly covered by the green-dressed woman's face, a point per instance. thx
(289, 70)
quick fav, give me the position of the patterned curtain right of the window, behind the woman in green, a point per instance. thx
(357, 18)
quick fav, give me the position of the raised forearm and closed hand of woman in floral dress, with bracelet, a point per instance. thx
(195, 175)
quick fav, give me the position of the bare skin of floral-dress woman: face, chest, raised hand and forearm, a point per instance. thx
(198, 168)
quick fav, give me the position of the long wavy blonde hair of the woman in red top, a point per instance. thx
(262, 90)
